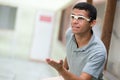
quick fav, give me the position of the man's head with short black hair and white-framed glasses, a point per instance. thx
(83, 18)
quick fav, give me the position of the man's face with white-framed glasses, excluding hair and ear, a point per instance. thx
(80, 21)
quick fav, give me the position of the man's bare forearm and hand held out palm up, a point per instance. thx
(65, 73)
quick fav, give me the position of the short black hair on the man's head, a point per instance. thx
(87, 7)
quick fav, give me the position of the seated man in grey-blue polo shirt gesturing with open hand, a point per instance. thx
(86, 54)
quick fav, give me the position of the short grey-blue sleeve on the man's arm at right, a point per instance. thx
(95, 64)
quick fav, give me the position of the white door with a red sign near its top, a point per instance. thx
(42, 35)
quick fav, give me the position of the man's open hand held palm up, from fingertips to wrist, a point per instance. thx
(57, 65)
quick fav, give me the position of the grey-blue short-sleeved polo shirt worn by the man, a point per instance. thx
(90, 58)
